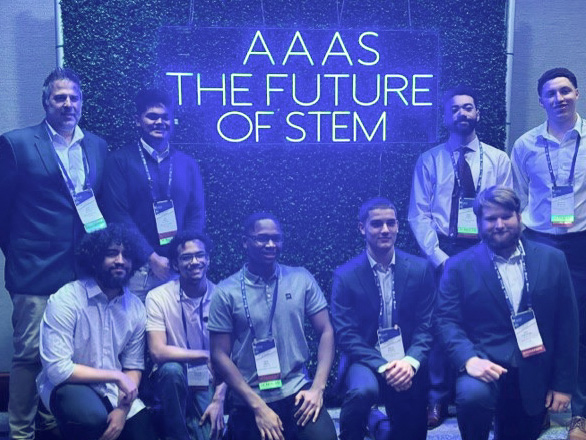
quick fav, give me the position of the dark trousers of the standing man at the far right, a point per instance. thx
(574, 247)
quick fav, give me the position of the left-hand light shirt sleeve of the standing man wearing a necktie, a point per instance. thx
(420, 215)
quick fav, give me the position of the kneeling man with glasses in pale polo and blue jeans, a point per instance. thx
(178, 338)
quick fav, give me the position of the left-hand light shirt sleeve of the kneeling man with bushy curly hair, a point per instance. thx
(56, 343)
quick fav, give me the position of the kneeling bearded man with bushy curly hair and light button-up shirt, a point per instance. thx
(92, 344)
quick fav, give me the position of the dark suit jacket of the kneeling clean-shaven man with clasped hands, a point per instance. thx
(356, 305)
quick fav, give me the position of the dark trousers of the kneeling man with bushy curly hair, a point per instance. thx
(83, 414)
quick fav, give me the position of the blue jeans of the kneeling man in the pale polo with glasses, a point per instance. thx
(181, 406)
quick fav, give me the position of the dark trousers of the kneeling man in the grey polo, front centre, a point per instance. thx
(242, 424)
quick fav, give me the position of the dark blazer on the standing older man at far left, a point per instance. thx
(39, 226)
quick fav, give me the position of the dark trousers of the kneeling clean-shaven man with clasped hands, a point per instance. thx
(406, 410)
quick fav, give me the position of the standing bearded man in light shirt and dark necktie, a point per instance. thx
(445, 181)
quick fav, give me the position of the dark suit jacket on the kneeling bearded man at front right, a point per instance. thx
(474, 320)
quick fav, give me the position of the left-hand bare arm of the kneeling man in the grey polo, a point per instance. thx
(267, 421)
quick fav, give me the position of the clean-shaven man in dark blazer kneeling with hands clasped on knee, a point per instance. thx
(375, 294)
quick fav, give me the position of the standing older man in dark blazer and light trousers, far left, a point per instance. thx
(42, 168)
